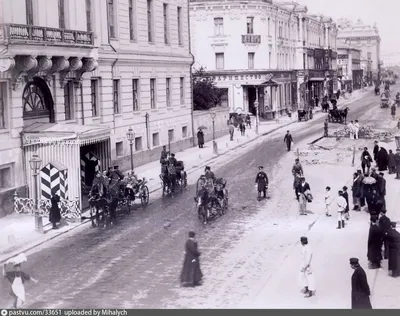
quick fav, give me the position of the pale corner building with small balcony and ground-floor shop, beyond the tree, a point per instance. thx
(260, 52)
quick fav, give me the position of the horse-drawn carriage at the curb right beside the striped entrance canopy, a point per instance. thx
(105, 201)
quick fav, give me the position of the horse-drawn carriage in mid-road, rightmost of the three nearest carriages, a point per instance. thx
(211, 198)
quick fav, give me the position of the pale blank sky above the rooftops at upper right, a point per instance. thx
(384, 12)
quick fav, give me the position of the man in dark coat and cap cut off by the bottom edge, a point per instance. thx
(360, 291)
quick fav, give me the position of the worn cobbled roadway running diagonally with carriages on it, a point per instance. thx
(137, 263)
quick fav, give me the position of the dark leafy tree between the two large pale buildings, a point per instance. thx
(205, 93)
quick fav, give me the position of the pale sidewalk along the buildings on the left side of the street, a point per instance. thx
(18, 235)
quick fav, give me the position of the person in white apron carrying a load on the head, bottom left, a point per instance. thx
(17, 279)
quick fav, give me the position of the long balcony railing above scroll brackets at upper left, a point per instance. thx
(31, 34)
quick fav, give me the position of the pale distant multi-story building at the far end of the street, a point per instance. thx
(367, 39)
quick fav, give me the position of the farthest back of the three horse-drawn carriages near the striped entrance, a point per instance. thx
(172, 177)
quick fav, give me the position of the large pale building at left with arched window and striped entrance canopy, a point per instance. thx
(76, 76)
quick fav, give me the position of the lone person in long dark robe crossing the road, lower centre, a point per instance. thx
(191, 274)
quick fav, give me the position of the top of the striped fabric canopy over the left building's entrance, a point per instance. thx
(44, 133)
